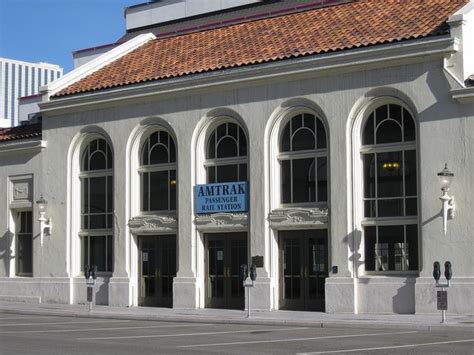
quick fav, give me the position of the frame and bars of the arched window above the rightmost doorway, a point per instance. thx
(294, 155)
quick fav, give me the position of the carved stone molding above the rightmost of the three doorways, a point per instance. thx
(298, 217)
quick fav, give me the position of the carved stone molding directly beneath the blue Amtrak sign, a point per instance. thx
(221, 221)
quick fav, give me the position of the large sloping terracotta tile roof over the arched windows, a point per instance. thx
(348, 25)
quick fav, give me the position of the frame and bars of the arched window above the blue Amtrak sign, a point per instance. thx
(240, 160)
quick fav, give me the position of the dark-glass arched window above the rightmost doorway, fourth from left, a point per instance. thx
(303, 160)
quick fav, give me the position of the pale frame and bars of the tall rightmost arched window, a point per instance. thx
(369, 224)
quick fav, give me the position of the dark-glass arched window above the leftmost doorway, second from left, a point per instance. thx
(158, 173)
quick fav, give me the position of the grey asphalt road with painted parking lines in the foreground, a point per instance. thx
(33, 334)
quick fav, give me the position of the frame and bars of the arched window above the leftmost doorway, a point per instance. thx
(146, 168)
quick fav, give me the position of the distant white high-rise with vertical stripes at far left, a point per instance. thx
(18, 79)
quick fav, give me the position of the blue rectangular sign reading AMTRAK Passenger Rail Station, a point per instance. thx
(223, 197)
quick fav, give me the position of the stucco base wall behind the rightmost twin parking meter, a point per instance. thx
(460, 295)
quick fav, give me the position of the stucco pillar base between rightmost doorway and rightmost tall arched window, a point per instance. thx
(339, 295)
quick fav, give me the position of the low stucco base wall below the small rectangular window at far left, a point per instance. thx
(35, 290)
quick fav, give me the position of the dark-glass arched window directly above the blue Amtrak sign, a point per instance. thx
(226, 154)
